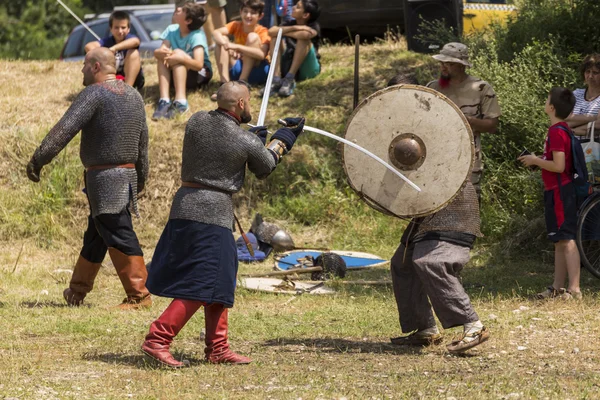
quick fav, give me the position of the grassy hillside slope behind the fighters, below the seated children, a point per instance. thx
(308, 194)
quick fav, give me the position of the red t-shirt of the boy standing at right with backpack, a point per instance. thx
(558, 140)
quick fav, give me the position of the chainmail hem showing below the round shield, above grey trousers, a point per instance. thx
(461, 215)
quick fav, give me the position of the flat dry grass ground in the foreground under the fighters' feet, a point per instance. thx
(302, 347)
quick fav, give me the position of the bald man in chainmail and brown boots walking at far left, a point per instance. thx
(114, 151)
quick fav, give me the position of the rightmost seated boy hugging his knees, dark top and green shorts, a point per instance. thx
(299, 59)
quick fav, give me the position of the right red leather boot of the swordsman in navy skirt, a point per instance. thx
(217, 347)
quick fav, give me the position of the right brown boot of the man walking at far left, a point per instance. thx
(133, 274)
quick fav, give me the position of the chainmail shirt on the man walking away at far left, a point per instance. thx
(112, 121)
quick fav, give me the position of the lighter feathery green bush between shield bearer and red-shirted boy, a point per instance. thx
(511, 192)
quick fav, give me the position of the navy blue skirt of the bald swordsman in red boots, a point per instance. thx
(194, 261)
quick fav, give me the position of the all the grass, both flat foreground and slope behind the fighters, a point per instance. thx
(303, 347)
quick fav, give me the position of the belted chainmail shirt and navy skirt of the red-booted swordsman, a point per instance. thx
(196, 257)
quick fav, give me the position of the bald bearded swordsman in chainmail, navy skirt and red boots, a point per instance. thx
(195, 261)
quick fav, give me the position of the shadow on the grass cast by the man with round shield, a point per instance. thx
(330, 345)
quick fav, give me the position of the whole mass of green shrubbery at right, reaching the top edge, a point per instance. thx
(522, 70)
